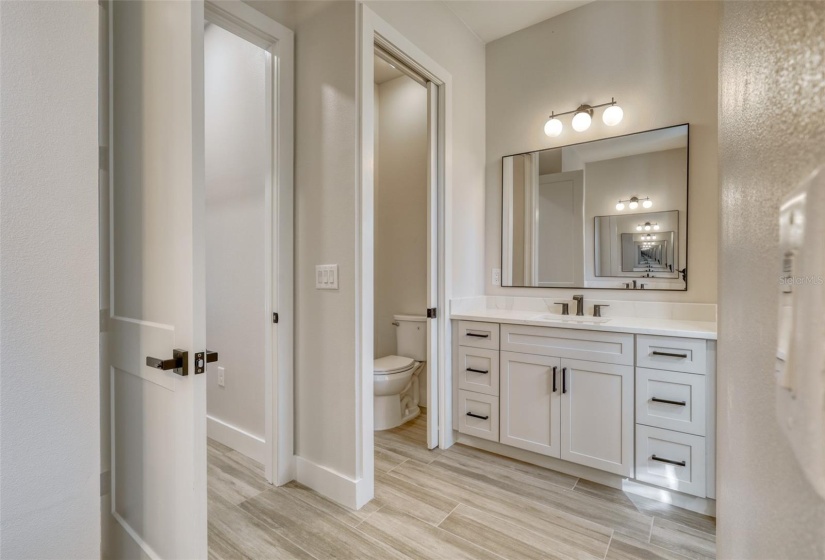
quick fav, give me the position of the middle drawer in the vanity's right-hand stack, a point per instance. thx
(671, 400)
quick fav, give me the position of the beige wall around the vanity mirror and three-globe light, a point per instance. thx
(658, 59)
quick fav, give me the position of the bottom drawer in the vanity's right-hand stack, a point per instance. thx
(671, 460)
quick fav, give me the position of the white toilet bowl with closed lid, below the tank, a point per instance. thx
(395, 390)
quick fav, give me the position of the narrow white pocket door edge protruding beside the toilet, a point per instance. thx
(432, 264)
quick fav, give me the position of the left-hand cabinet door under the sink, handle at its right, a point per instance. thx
(530, 399)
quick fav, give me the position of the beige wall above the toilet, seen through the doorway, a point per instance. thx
(400, 207)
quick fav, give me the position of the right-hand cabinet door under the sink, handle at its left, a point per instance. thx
(597, 415)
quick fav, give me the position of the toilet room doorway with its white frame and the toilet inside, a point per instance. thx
(381, 251)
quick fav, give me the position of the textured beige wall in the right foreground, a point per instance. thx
(772, 110)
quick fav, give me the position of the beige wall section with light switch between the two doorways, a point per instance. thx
(326, 134)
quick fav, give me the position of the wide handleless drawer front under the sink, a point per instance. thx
(605, 347)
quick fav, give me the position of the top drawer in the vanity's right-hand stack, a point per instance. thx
(672, 353)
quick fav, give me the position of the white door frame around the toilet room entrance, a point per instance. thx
(374, 30)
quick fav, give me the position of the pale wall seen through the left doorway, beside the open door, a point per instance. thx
(235, 181)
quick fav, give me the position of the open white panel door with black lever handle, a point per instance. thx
(157, 302)
